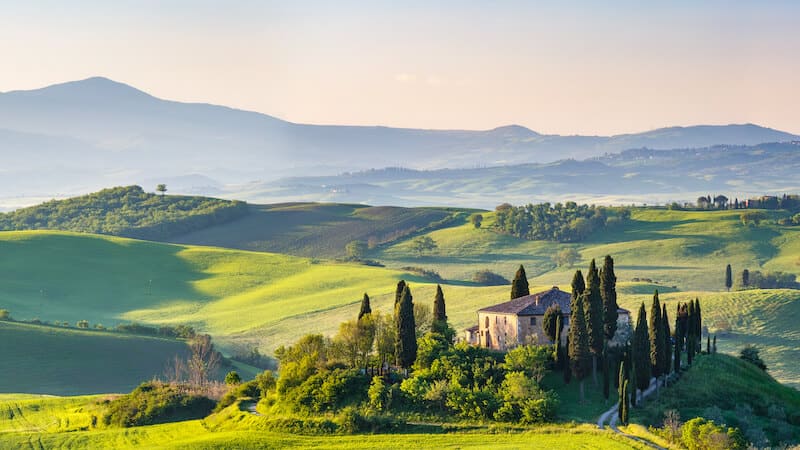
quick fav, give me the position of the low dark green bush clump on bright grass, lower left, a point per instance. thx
(155, 402)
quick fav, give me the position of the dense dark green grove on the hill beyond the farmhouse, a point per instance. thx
(568, 222)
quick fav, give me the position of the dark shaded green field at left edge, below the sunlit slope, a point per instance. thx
(42, 359)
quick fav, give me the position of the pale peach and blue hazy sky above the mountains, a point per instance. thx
(586, 68)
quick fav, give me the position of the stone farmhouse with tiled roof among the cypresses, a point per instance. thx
(519, 321)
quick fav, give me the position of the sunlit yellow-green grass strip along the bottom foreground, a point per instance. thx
(29, 422)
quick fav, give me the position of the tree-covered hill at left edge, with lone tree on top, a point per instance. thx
(126, 211)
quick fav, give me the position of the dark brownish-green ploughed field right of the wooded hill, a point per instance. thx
(315, 229)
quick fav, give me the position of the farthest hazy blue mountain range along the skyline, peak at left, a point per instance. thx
(82, 135)
